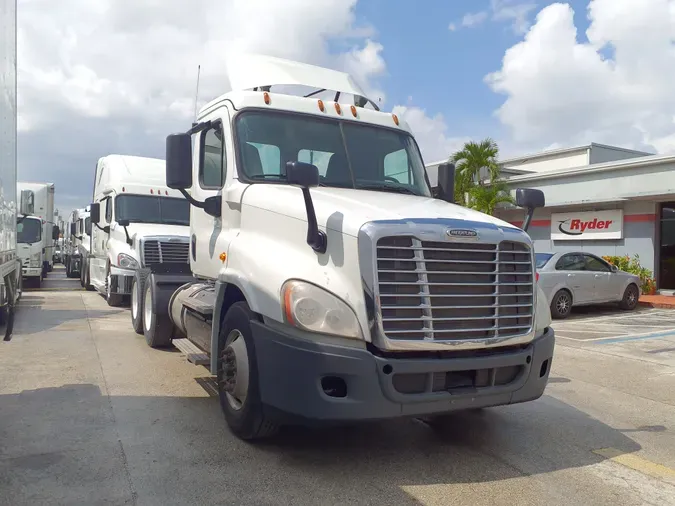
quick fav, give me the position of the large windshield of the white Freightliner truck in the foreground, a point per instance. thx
(348, 155)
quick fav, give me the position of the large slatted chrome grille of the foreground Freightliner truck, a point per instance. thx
(454, 291)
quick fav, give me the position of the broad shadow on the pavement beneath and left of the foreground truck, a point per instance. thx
(75, 445)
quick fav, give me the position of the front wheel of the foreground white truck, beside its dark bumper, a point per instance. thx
(238, 387)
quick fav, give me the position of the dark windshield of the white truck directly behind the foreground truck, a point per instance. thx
(149, 209)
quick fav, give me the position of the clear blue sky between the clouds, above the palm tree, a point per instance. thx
(443, 70)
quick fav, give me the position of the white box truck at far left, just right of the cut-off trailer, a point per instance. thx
(40, 204)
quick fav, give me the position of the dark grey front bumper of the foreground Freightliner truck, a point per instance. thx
(291, 371)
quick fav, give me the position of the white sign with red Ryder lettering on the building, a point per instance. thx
(590, 225)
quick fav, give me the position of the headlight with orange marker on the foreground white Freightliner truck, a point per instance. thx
(311, 308)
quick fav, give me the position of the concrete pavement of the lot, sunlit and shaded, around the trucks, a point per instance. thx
(89, 414)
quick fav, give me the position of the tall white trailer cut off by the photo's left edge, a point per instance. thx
(10, 266)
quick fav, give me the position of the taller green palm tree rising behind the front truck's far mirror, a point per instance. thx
(470, 161)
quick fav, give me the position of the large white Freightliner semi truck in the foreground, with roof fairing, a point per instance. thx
(341, 290)
